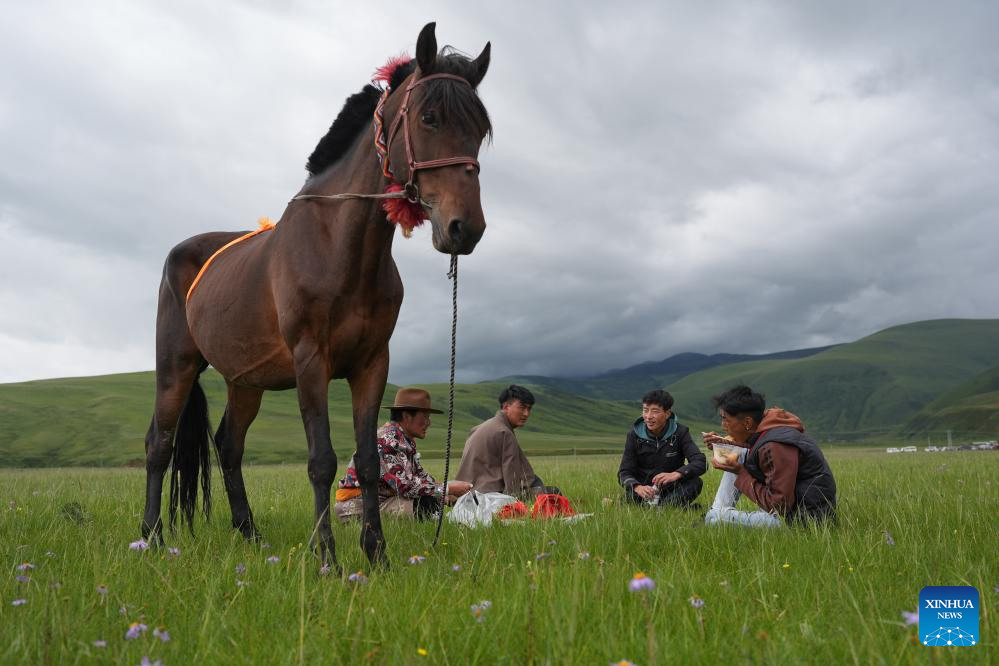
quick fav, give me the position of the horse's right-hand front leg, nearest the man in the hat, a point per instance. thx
(367, 388)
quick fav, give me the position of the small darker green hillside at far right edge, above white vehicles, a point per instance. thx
(971, 409)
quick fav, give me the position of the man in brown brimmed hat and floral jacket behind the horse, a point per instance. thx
(404, 487)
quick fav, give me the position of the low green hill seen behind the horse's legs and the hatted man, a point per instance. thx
(102, 421)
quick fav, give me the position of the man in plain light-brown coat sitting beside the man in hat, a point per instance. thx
(492, 460)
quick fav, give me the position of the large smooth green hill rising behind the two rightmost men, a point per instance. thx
(874, 384)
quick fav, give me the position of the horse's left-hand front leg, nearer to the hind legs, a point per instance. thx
(312, 377)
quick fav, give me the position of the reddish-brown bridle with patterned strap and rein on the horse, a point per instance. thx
(383, 145)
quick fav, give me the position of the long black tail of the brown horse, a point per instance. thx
(191, 457)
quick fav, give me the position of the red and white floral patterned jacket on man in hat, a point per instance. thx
(401, 471)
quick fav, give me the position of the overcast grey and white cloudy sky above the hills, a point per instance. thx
(666, 177)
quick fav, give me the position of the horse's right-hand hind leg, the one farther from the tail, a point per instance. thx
(244, 403)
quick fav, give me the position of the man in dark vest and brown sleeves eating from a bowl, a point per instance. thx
(783, 470)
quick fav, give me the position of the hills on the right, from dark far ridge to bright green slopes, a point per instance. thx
(929, 375)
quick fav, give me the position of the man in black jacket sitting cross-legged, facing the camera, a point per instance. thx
(660, 464)
